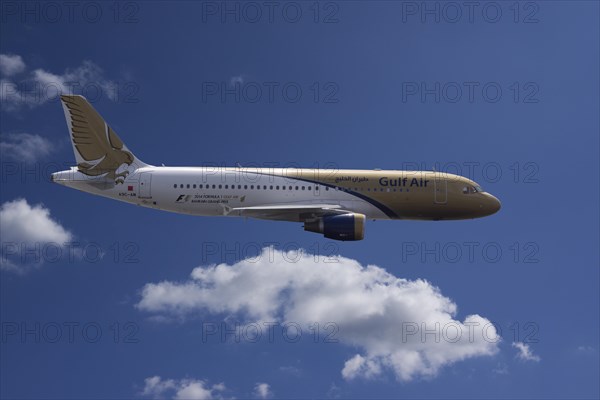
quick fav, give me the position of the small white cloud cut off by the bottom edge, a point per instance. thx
(189, 389)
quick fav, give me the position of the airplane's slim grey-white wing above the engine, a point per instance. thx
(287, 212)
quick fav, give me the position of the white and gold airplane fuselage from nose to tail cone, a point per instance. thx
(378, 194)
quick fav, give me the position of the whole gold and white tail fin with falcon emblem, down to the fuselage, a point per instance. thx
(98, 149)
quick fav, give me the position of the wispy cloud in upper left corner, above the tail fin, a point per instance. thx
(41, 86)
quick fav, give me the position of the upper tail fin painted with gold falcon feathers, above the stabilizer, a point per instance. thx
(92, 138)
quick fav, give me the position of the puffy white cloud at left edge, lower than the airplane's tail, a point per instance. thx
(24, 228)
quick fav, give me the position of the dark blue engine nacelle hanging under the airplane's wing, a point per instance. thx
(349, 226)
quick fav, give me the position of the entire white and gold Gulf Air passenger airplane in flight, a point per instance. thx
(332, 202)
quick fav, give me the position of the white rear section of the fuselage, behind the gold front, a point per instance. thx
(206, 191)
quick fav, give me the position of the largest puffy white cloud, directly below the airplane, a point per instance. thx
(385, 317)
